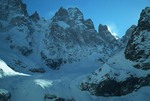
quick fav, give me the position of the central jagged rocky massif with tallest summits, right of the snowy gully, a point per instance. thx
(71, 38)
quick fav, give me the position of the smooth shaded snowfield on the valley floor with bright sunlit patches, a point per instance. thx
(63, 83)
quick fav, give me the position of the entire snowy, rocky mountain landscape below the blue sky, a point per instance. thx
(31, 47)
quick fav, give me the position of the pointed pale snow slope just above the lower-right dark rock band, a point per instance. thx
(119, 68)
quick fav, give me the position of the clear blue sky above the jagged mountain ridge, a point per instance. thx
(119, 15)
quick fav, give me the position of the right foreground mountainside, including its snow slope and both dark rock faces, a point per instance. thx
(128, 70)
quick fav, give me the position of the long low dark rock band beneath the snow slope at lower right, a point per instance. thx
(111, 87)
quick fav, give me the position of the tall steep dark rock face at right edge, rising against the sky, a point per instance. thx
(137, 48)
